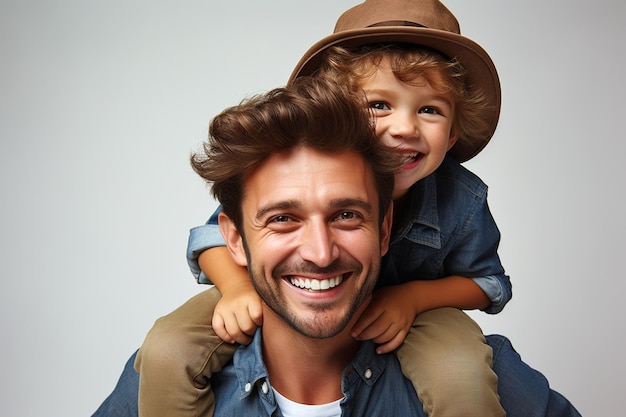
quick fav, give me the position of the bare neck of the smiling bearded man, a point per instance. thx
(305, 370)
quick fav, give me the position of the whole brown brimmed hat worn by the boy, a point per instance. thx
(421, 22)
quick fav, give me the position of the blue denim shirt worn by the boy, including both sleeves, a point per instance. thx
(442, 227)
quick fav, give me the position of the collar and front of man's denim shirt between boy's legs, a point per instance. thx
(373, 385)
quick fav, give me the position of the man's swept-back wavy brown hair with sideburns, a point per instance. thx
(310, 112)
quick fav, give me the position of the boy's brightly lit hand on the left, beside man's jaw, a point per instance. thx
(238, 313)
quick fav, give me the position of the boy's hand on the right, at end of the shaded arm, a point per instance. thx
(387, 319)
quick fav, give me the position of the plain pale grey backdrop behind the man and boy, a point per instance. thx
(101, 104)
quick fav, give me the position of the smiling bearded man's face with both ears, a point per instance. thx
(312, 237)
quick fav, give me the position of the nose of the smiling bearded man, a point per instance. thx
(318, 243)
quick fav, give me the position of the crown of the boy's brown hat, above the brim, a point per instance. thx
(431, 14)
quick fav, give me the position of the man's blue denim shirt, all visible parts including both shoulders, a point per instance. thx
(382, 392)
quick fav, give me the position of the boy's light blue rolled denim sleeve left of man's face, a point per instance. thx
(202, 238)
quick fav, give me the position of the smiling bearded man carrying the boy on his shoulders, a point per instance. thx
(306, 188)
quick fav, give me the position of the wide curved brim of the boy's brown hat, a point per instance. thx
(480, 69)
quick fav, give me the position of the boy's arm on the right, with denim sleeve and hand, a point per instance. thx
(473, 252)
